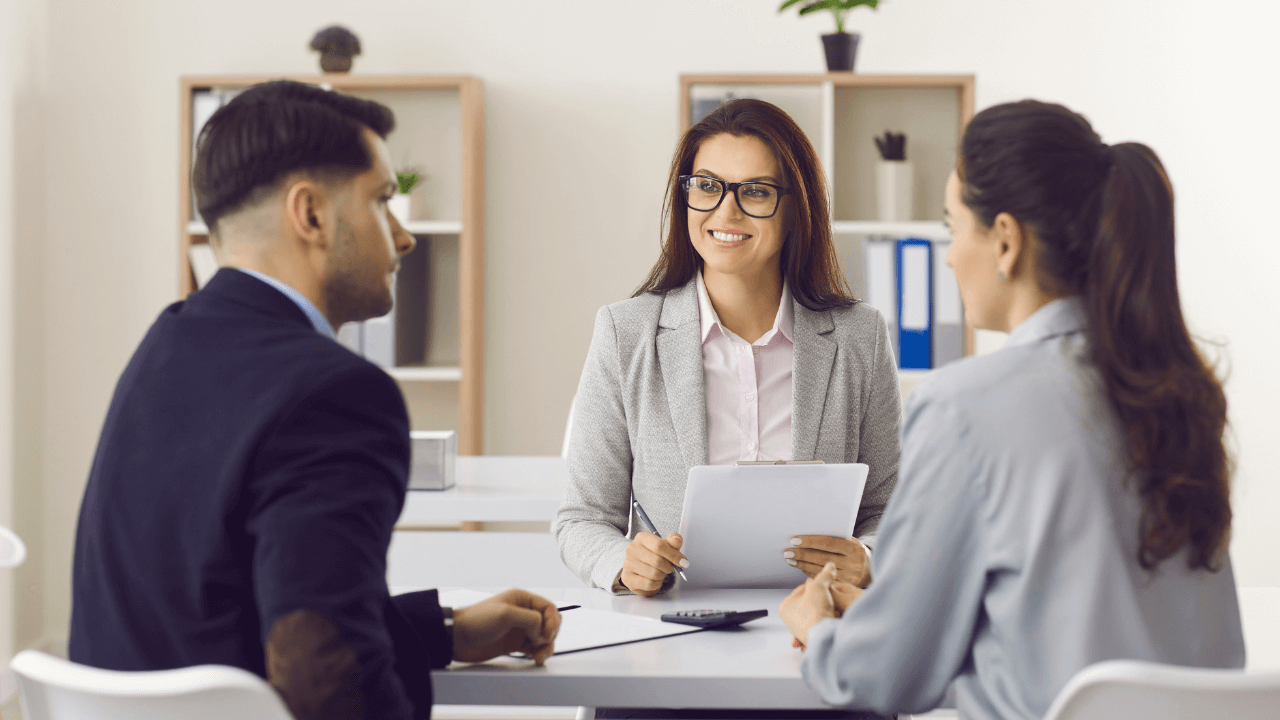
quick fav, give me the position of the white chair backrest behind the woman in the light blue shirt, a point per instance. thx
(1127, 690)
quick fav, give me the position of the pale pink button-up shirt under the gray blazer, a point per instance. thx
(748, 386)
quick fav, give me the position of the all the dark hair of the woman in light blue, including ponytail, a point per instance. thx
(1104, 222)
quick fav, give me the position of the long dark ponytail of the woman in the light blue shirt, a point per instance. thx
(1165, 395)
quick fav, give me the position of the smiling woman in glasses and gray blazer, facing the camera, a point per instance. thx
(744, 344)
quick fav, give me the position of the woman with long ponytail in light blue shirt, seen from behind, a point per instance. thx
(1066, 500)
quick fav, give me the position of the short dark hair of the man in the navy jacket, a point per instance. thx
(277, 129)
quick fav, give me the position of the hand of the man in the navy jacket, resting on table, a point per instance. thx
(511, 622)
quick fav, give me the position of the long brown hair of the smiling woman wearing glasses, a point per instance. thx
(808, 259)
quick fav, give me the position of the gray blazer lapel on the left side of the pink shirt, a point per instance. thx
(680, 359)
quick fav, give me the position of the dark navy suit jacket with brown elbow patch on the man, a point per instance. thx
(240, 509)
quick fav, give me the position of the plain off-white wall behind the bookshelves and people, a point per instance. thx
(584, 94)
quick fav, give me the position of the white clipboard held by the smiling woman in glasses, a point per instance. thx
(739, 520)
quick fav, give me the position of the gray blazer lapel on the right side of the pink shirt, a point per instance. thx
(815, 358)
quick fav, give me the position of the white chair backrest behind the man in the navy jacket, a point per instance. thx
(57, 690)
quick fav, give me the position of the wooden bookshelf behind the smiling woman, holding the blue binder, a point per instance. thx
(840, 113)
